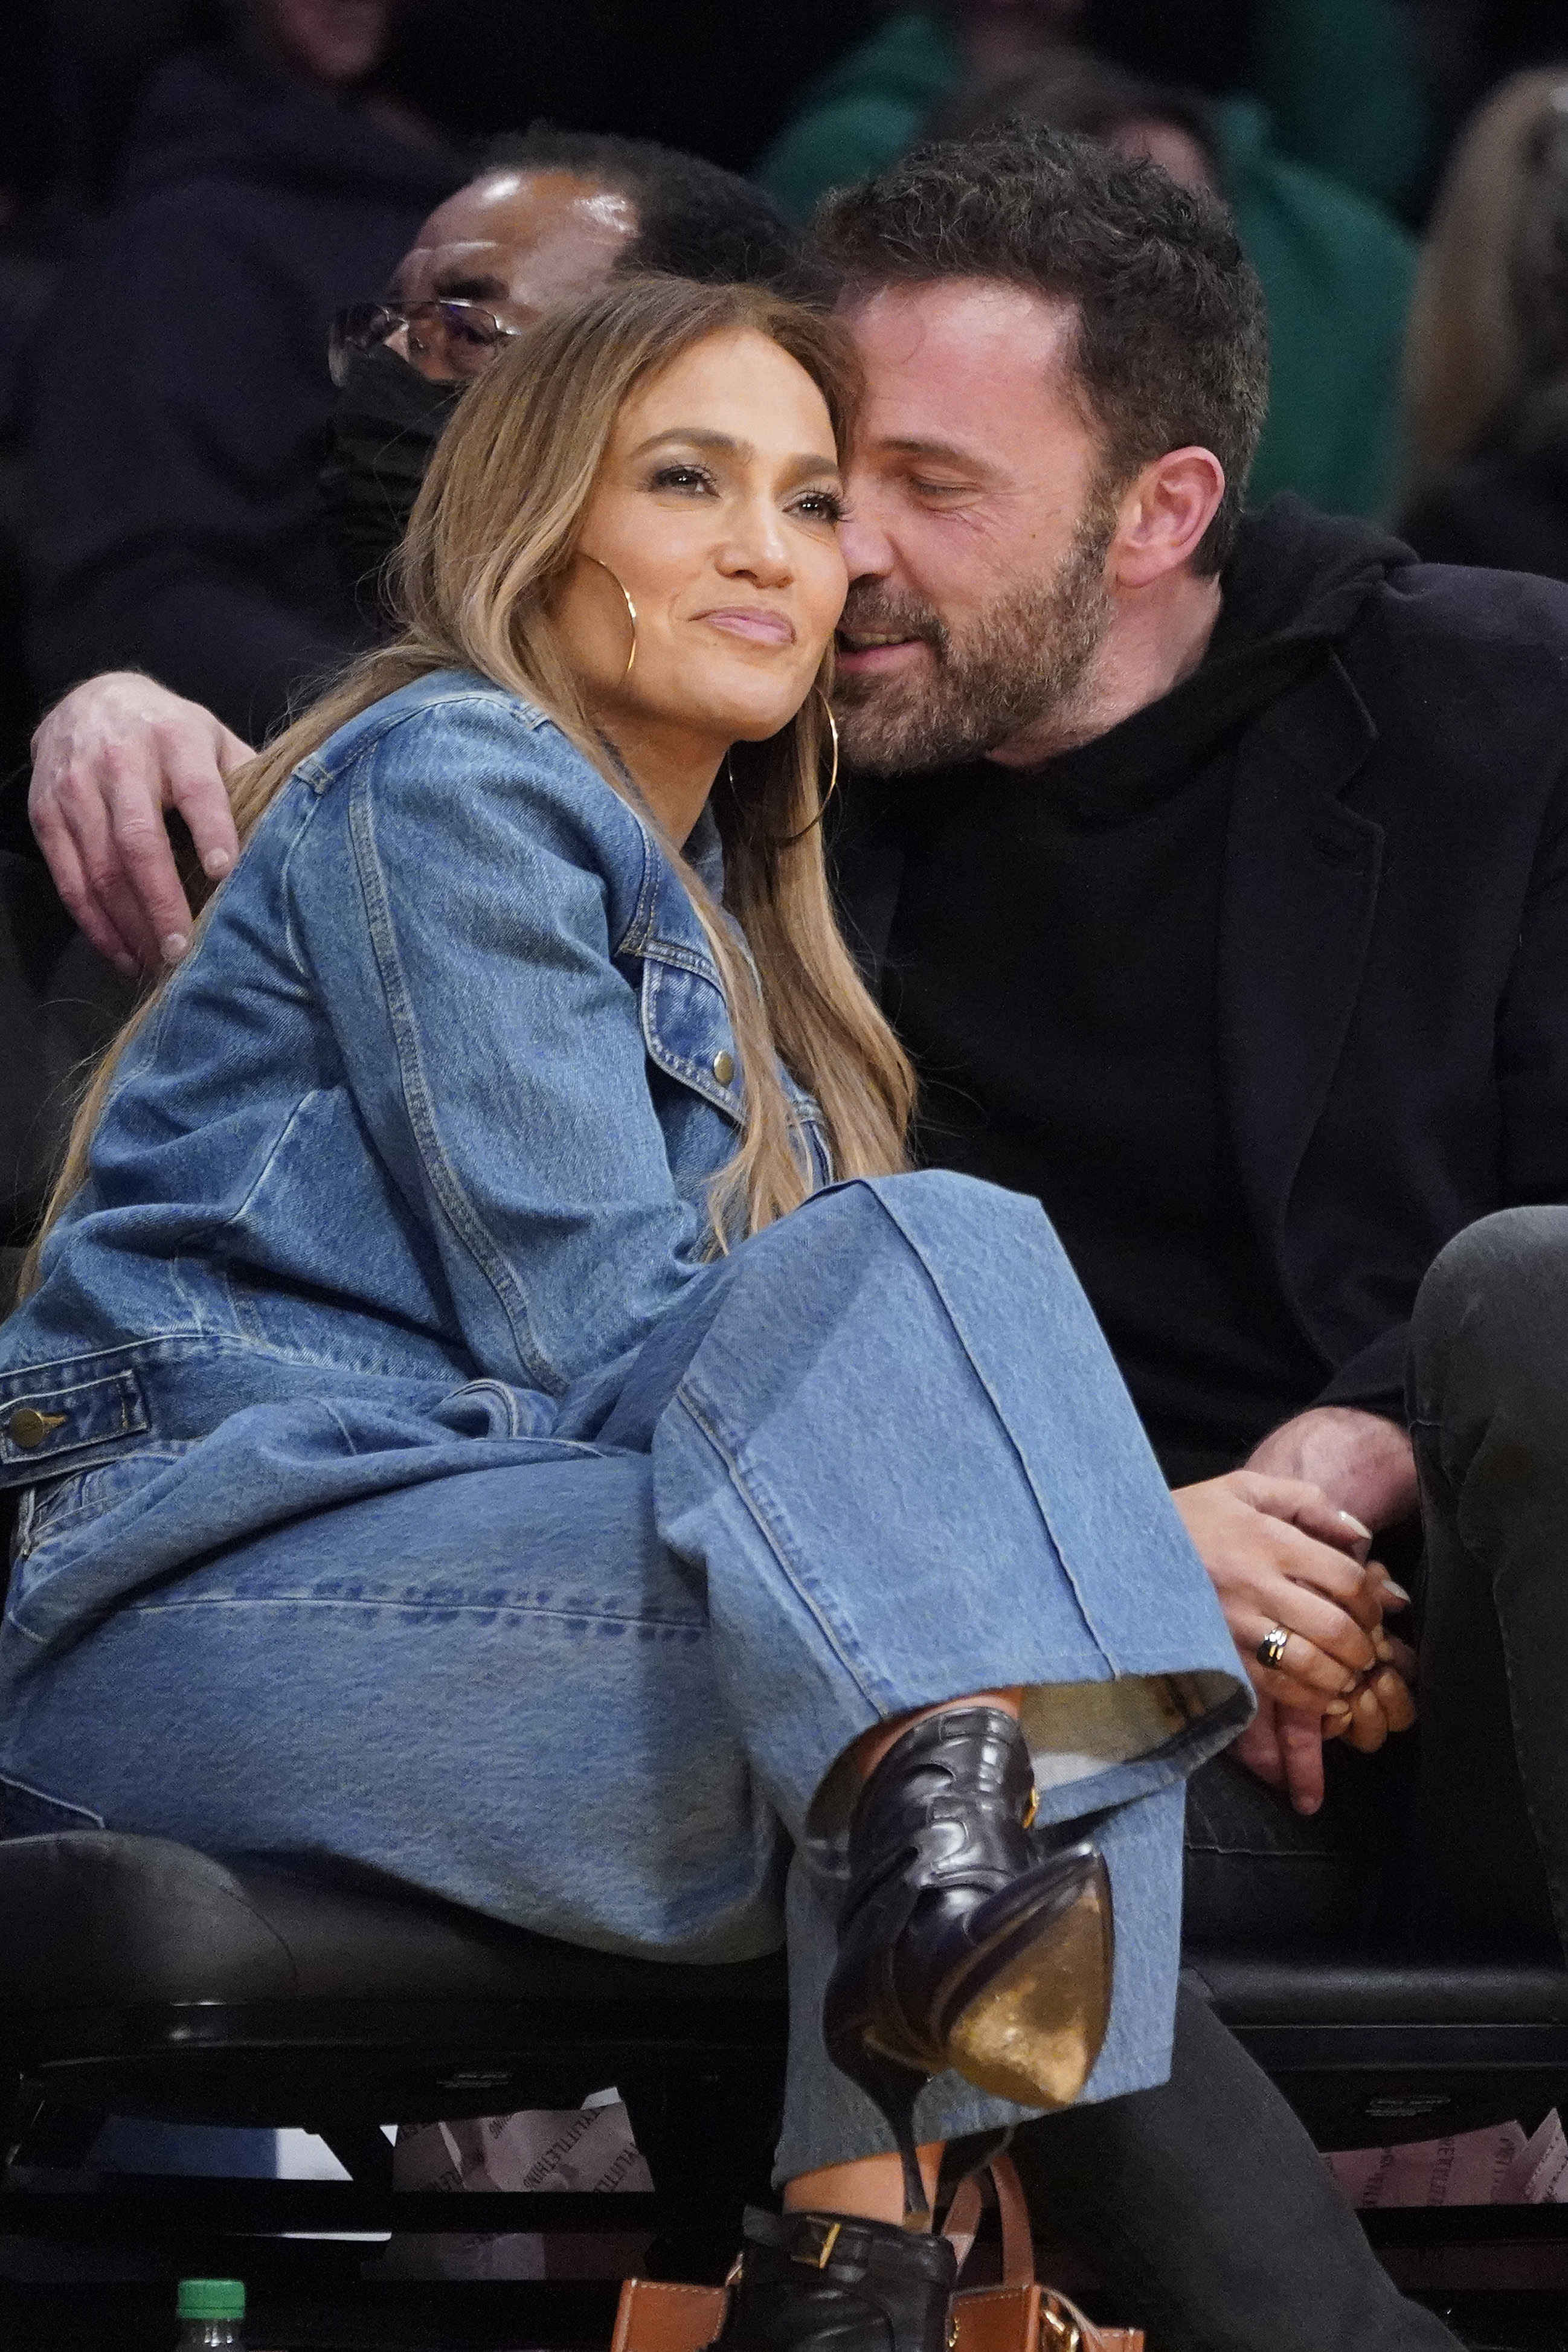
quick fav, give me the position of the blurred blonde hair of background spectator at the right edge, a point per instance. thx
(1489, 321)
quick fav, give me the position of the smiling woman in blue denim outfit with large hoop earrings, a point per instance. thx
(495, 1403)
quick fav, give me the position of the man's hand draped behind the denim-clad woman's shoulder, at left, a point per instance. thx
(107, 763)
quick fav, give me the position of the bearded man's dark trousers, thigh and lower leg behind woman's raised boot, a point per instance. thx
(1205, 2205)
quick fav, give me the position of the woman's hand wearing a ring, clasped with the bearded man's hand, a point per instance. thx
(1280, 1553)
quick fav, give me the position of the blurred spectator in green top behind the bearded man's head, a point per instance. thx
(1336, 269)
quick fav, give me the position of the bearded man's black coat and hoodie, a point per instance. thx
(1261, 991)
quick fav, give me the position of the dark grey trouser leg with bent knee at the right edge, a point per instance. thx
(1489, 1389)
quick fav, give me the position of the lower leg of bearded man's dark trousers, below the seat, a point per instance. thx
(1212, 2217)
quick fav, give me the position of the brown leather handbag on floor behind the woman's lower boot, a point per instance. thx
(1012, 2318)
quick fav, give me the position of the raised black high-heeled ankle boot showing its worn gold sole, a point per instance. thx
(965, 1942)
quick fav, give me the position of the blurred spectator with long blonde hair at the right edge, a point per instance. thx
(1487, 368)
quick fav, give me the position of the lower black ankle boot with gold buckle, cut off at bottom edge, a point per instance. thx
(829, 2283)
